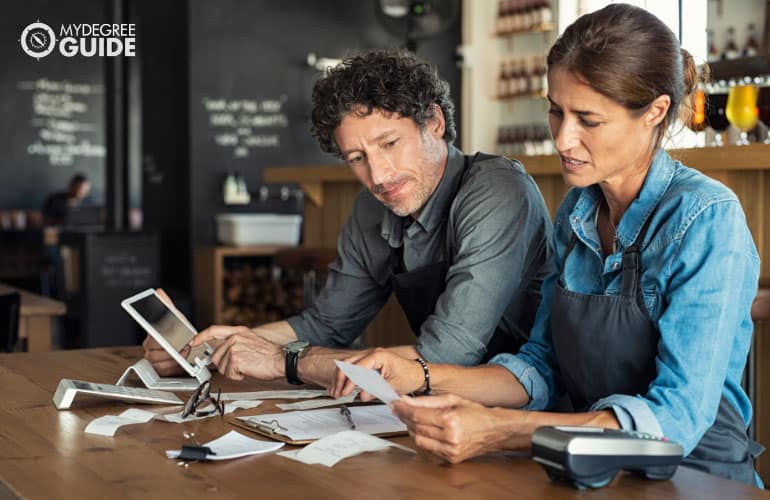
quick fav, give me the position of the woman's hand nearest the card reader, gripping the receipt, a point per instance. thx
(454, 428)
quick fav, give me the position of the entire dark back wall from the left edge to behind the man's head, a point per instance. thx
(197, 61)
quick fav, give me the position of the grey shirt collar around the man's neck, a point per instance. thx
(435, 210)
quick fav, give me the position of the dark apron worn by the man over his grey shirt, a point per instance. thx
(417, 291)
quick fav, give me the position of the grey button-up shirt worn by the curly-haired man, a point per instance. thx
(494, 230)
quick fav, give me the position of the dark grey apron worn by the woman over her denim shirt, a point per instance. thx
(607, 344)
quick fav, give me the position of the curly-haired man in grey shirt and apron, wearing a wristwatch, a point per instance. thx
(463, 242)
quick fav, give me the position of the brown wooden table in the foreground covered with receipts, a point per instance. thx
(44, 453)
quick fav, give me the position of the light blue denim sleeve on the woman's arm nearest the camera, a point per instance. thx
(712, 278)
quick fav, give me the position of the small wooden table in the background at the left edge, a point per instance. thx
(36, 317)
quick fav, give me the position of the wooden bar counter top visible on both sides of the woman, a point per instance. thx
(751, 157)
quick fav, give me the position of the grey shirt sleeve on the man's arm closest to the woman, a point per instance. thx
(501, 229)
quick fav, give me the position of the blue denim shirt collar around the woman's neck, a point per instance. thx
(654, 187)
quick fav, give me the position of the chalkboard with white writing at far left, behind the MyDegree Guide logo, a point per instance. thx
(51, 109)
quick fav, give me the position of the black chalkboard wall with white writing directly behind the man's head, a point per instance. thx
(250, 86)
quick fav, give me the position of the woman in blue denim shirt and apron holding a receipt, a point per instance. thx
(646, 324)
